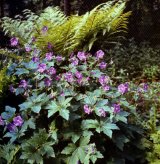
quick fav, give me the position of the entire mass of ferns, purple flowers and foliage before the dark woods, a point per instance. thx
(60, 103)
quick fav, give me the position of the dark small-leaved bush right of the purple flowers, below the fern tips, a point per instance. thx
(139, 63)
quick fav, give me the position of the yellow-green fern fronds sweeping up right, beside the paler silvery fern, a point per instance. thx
(106, 19)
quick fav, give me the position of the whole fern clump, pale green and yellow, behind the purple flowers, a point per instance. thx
(106, 21)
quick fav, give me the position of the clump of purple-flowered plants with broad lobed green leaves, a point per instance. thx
(71, 109)
